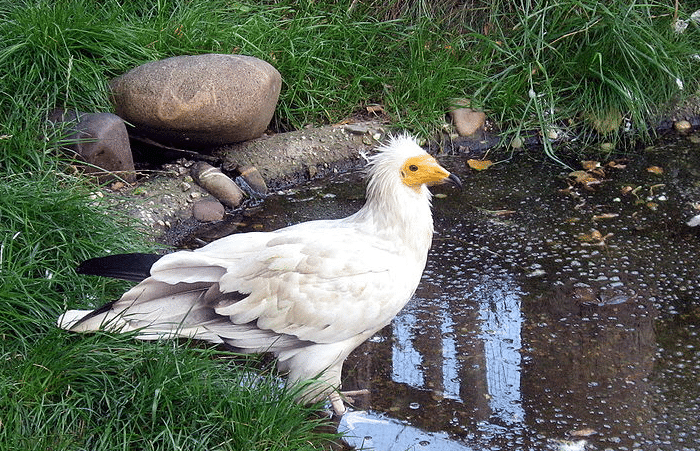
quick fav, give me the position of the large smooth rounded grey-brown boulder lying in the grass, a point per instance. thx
(199, 101)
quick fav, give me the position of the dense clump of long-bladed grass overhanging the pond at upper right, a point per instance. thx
(563, 63)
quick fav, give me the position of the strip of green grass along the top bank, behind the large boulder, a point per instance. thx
(581, 57)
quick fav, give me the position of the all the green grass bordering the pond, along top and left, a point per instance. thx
(530, 65)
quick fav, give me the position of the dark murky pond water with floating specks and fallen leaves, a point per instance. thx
(547, 318)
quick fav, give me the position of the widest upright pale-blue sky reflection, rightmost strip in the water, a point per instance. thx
(501, 322)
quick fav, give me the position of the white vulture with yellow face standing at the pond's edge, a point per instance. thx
(310, 293)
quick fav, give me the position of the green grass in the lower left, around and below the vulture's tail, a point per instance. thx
(103, 392)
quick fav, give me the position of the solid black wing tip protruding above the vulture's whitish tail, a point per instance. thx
(134, 267)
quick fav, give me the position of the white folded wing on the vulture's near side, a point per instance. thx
(322, 287)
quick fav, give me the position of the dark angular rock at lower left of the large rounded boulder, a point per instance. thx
(101, 140)
